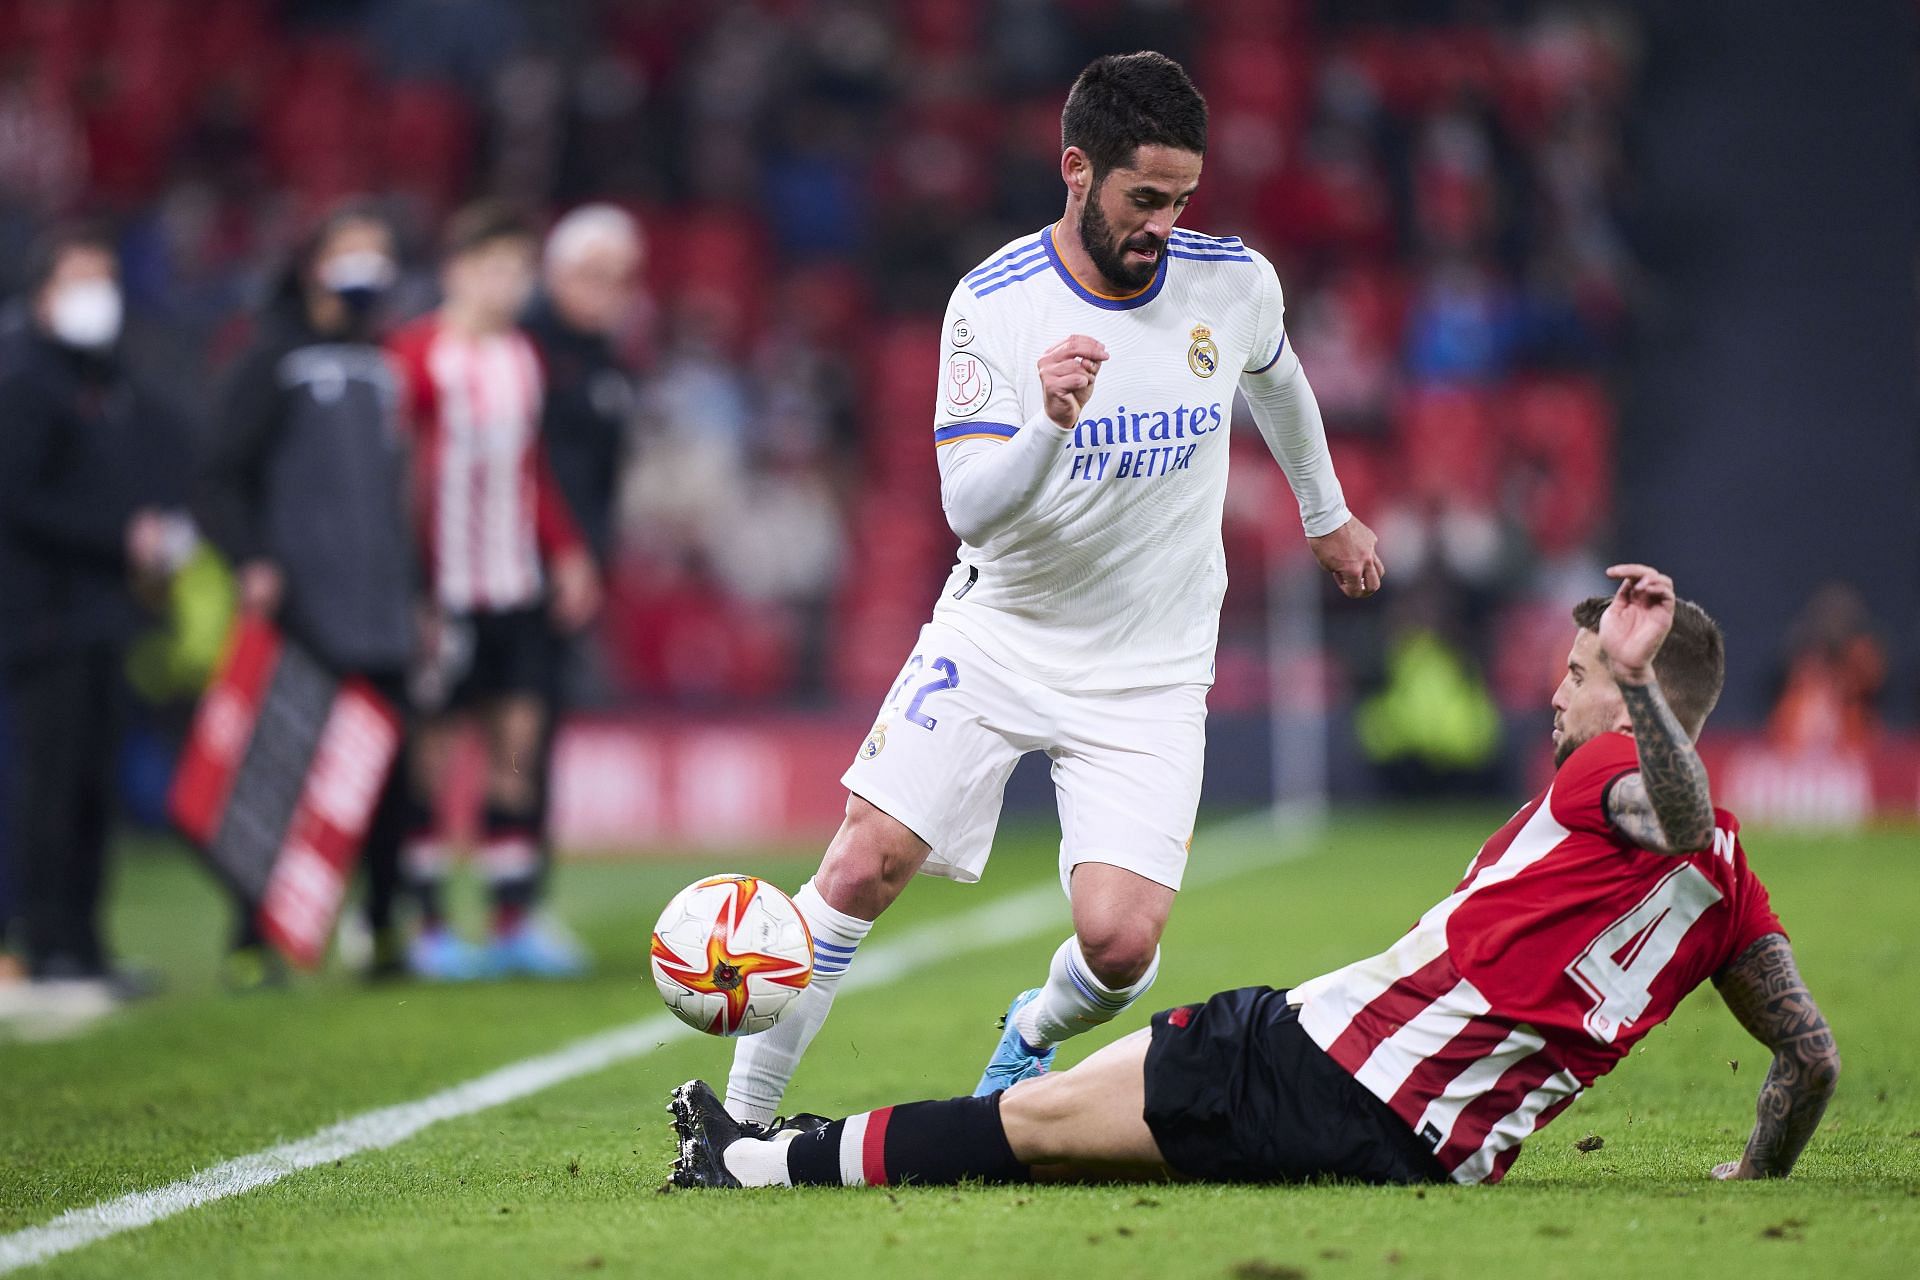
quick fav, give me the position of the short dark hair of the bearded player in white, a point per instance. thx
(1130, 101)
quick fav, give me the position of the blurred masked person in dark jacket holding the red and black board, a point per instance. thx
(308, 490)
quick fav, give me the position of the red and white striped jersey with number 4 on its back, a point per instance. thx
(1562, 947)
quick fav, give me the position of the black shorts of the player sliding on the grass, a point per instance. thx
(1239, 1093)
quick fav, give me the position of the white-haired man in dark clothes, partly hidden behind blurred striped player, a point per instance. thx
(587, 296)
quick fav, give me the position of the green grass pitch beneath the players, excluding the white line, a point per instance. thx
(565, 1181)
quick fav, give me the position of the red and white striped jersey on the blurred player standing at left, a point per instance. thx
(487, 506)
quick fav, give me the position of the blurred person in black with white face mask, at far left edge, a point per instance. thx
(89, 527)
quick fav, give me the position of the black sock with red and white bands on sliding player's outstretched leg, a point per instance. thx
(926, 1143)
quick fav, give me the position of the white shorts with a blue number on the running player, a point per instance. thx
(1126, 765)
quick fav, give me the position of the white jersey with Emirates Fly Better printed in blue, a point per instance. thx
(1113, 579)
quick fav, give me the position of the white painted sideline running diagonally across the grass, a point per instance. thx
(984, 928)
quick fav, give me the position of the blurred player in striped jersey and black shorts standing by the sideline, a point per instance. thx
(508, 567)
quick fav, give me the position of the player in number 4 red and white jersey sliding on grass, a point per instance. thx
(1577, 930)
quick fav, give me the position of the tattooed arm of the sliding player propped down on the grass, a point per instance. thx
(1767, 995)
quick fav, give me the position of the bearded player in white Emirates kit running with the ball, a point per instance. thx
(1082, 425)
